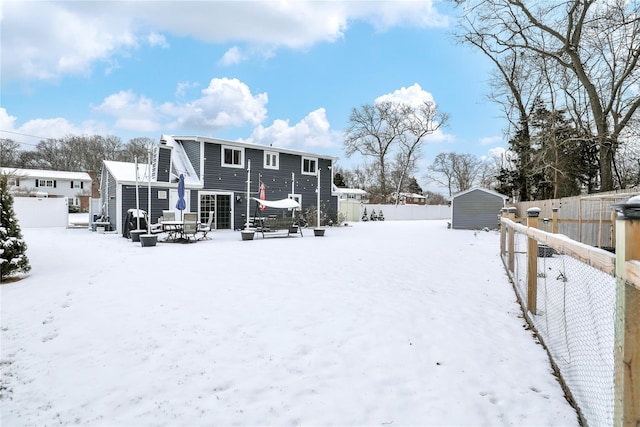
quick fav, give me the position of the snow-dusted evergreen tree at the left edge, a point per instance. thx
(13, 258)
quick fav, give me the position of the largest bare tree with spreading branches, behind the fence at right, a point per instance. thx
(594, 42)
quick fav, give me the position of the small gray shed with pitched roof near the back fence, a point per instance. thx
(475, 210)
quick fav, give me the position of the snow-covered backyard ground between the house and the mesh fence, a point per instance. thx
(379, 323)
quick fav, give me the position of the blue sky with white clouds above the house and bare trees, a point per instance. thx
(286, 73)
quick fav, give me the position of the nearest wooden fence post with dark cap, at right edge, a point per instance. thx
(627, 330)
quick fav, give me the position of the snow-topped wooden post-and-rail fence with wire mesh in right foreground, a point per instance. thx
(584, 305)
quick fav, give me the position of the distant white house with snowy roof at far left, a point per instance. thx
(74, 186)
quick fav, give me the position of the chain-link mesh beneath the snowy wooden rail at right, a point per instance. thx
(575, 319)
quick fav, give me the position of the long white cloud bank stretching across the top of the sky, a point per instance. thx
(46, 40)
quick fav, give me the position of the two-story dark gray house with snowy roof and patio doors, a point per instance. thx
(215, 173)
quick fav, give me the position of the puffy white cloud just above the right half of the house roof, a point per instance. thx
(310, 133)
